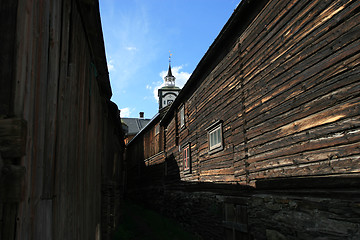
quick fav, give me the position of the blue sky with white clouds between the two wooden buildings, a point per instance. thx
(138, 36)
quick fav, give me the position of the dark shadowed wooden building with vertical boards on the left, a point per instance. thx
(61, 141)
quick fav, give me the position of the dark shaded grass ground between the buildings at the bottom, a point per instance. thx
(140, 223)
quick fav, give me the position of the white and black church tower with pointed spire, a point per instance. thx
(169, 92)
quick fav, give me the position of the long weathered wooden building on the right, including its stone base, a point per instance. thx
(264, 136)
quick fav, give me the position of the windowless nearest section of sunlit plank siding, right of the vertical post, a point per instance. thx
(301, 90)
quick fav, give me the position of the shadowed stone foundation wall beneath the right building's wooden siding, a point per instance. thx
(212, 213)
